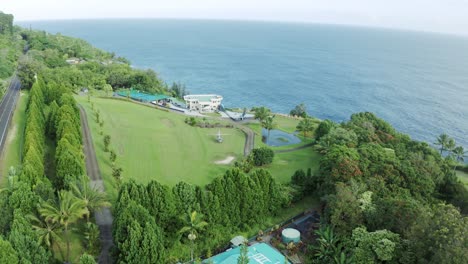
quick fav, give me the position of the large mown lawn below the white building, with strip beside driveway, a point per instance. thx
(156, 145)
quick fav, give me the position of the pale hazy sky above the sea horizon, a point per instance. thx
(446, 16)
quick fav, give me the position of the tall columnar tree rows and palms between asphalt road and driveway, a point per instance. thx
(47, 202)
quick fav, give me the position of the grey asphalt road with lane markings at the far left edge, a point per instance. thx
(7, 107)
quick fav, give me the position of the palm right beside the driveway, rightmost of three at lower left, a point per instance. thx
(93, 199)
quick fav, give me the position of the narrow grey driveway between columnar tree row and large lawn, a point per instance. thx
(104, 217)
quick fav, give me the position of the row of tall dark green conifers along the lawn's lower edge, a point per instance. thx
(233, 203)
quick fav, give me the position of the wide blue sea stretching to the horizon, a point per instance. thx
(416, 81)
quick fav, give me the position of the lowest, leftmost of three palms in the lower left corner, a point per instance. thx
(47, 232)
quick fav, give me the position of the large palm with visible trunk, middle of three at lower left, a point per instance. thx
(66, 211)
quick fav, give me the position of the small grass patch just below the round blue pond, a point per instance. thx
(285, 164)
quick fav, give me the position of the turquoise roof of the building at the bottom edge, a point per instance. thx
(258, 254)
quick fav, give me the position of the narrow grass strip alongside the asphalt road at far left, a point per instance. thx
(11, 156)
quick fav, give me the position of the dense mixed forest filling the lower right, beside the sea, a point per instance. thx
(387, 198)
